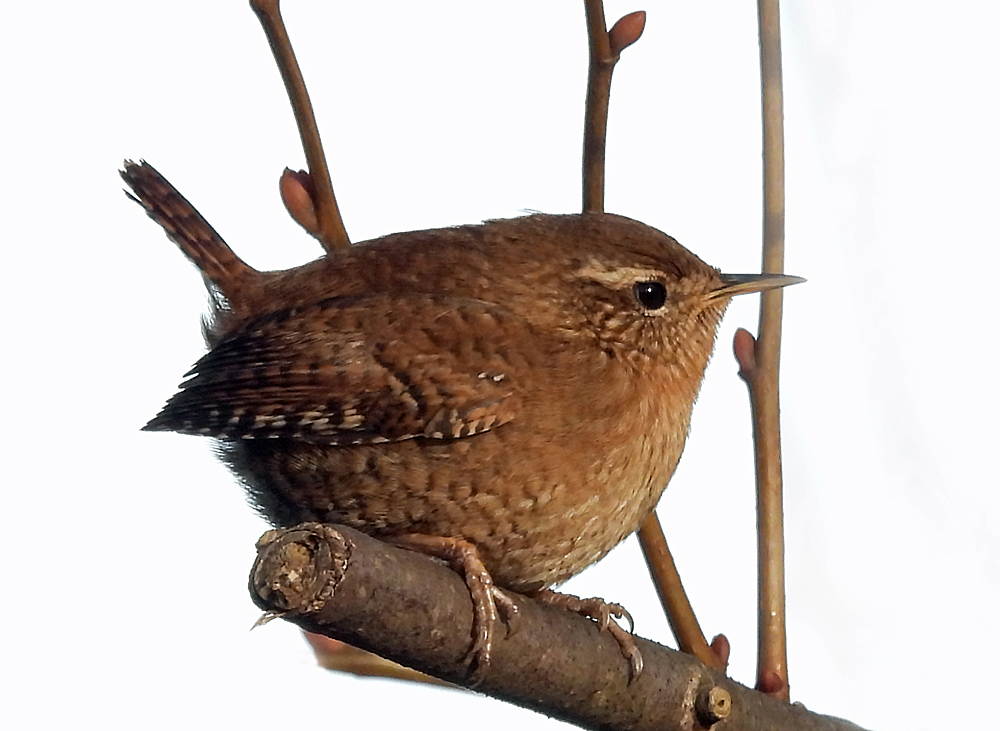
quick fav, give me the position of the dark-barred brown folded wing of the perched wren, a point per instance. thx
(356, 370)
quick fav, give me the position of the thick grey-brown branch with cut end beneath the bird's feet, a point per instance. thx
(338, 582)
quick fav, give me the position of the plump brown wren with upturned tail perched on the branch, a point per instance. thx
(516, 393)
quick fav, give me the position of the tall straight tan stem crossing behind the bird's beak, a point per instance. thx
(772, 669)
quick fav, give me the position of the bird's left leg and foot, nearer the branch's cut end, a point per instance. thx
(489, 602)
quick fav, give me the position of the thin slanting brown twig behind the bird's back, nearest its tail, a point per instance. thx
(330, 226)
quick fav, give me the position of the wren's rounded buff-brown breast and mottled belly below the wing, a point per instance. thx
(542, 497)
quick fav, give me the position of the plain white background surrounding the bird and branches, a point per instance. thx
(126, 554)
